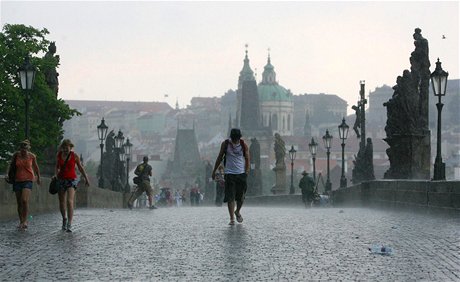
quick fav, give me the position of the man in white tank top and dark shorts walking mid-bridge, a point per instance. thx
(234, 153)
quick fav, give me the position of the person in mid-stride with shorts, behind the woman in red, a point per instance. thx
(143, 171)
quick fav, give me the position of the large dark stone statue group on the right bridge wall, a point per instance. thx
(407, 118)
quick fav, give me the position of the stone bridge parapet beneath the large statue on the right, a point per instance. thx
(444, 195)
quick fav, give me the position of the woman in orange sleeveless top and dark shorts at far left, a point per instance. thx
(26, 171)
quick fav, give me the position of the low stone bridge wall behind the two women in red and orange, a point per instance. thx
(41, 201)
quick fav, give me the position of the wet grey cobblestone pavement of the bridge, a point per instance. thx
(196, 244)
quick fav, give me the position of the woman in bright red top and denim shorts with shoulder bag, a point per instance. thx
(66, 163)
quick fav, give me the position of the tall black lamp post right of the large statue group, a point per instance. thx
(439, 82)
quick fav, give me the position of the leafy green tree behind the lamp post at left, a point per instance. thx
(46, 112)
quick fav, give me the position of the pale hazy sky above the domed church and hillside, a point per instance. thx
(140, 51)
